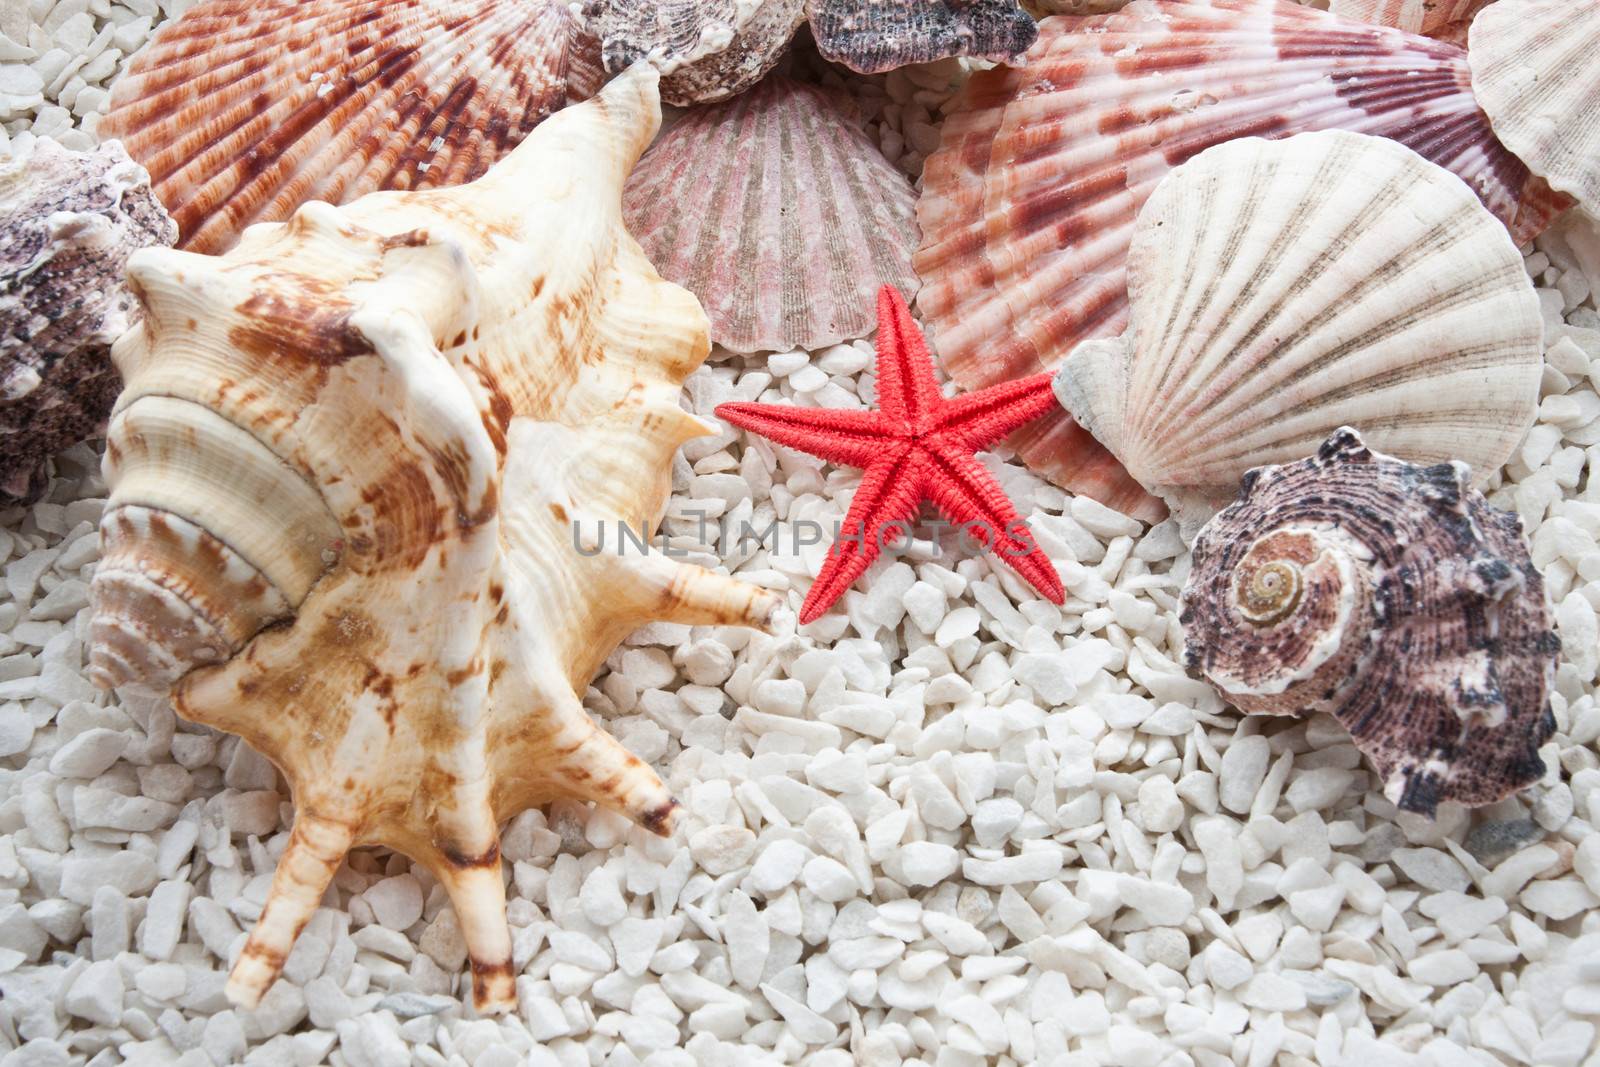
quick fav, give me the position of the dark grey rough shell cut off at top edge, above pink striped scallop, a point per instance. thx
(876, 36)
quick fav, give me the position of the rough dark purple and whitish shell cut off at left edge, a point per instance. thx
(68, 225)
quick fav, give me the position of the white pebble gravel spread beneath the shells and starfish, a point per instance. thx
(948, 825)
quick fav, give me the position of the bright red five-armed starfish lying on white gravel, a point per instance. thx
(918, 447)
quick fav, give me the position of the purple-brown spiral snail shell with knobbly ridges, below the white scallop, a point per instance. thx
(1394, 597)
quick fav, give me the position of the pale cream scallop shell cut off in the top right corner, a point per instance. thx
(1537, 74)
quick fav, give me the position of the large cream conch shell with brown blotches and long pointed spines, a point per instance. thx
(383, 423)
